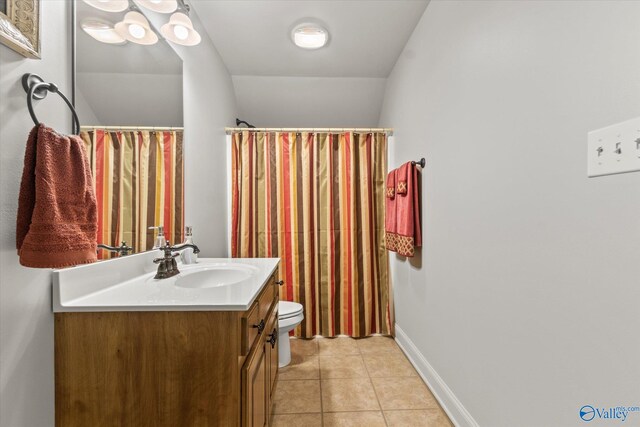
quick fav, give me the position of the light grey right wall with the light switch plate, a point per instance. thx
(526, 296)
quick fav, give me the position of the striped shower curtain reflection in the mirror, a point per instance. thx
(138, 178)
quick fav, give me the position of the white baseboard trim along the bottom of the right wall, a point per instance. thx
(457, 413)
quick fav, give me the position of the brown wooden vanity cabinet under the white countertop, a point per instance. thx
(169, 368)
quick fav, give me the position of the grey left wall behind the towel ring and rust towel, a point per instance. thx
(26, 321)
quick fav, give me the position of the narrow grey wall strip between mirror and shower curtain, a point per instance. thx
(209, 106)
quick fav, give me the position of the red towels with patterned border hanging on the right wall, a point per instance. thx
(404, 232)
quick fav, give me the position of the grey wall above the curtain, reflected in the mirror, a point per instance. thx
(132, 99)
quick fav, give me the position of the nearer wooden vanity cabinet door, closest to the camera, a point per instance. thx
(255, 397)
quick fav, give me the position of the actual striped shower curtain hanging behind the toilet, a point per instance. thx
(316, 201)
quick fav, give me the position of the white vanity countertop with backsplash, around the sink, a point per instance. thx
(127, 284)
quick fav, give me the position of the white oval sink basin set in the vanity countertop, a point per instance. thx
(215, 276)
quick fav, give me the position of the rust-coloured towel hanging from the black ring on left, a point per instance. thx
(57, 216)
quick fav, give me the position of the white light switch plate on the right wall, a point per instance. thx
(614, 149)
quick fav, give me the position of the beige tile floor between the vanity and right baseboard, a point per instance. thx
(346, 382)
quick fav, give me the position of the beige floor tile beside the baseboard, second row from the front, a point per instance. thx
(403, 393)
